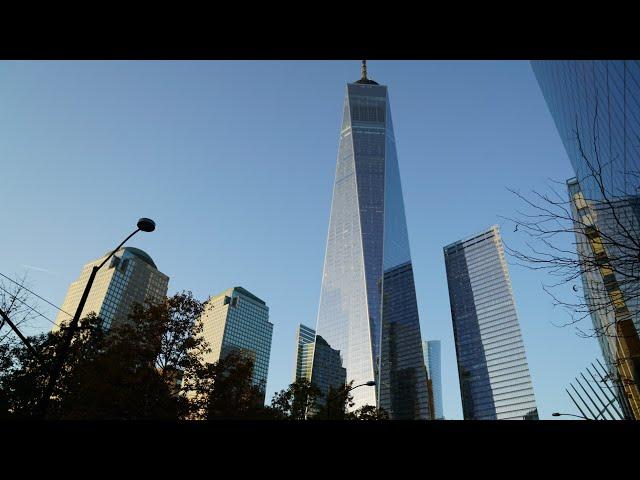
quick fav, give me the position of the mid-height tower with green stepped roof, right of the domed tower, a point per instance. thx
(238, 321)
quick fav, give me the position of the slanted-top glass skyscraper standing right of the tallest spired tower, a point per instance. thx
(492, 367)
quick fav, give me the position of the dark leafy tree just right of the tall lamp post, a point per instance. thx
(139, 371)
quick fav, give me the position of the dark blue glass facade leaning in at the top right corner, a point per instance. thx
(600, 101)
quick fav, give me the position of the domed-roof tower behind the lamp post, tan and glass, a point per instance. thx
(130, 277)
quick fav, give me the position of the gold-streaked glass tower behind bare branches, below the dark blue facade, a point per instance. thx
(610, 285)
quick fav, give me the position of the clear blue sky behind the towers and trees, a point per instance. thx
(235, 161)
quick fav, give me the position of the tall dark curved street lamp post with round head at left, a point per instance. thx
(145, 225)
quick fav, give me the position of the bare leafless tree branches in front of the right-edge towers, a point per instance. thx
(599, 276)
